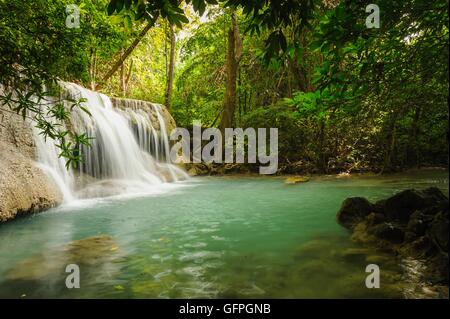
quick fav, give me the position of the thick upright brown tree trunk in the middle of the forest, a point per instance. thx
(234, 54)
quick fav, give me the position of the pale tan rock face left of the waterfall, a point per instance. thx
(24, 188)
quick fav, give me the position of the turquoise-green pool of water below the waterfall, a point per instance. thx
(211, 238)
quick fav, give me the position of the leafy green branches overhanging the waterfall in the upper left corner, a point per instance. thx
(37, 50)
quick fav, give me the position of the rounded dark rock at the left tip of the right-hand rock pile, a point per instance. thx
(353, 211)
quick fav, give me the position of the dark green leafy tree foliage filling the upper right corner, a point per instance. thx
(398, 72)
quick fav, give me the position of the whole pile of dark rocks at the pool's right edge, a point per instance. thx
(410, 223)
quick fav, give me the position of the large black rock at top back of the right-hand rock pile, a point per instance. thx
(400, 206)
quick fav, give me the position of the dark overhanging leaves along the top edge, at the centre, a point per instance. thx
(263, 15)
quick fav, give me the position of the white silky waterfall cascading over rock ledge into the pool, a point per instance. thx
(128, 153)
